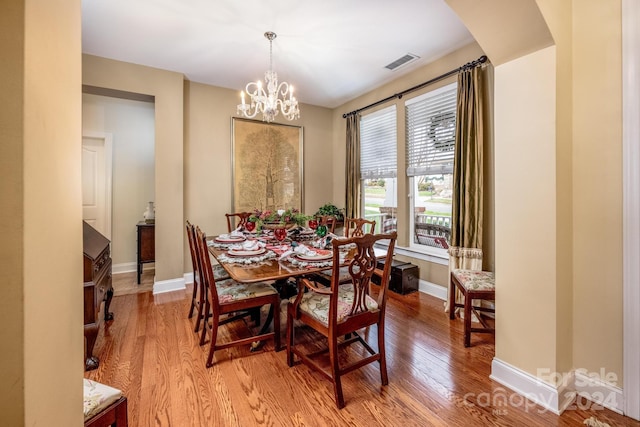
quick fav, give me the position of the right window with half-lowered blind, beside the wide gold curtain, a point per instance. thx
(430, 133)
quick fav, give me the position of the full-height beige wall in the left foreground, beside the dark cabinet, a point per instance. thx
(41, 356)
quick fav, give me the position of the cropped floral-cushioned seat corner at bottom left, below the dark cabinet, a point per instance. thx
(103, 405)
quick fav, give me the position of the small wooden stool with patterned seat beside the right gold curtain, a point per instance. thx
(473, 285)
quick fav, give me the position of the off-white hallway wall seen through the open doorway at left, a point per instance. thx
(131, 123)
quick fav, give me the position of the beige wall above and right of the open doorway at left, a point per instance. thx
(167, 88)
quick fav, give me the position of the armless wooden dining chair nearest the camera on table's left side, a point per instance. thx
(228, 297)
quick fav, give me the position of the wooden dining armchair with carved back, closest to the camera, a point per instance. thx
(339, 311)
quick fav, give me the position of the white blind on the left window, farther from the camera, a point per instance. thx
(378, 151)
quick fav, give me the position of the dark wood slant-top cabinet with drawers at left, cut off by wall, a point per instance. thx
(97, 287)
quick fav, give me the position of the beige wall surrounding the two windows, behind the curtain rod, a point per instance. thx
(431, 272)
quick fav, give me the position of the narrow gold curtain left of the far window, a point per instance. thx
(352, 171)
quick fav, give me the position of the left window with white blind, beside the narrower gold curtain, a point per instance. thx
(378, 168)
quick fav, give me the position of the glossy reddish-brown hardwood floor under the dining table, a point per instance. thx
(151, 352)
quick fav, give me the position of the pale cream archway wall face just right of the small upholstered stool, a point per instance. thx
(525, 195)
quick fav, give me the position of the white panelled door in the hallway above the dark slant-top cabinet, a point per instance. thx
(96, 181)
